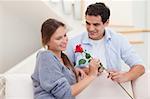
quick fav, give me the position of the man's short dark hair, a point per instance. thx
(98, 9)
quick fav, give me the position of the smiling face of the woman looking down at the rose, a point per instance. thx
(58, 41)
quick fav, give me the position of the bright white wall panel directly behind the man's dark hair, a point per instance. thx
(117, 9)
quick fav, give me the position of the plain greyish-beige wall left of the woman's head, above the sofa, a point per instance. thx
(20, 23)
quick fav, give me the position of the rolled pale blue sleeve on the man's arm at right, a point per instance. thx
(128, 54)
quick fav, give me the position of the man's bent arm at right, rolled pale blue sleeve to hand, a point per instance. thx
(130, 57)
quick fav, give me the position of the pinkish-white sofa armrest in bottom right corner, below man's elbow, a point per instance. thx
(141, 86)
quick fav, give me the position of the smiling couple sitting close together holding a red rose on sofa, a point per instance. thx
(55, 76)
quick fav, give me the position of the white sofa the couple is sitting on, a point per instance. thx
(17, 84)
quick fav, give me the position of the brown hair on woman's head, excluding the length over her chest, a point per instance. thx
(48, 29)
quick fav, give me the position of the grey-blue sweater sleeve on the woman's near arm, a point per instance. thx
(51, 77)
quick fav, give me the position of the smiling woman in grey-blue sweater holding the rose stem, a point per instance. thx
(54, 76)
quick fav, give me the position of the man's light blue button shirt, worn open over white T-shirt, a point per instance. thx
(117, 49)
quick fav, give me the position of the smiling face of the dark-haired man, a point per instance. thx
(95, 26)
